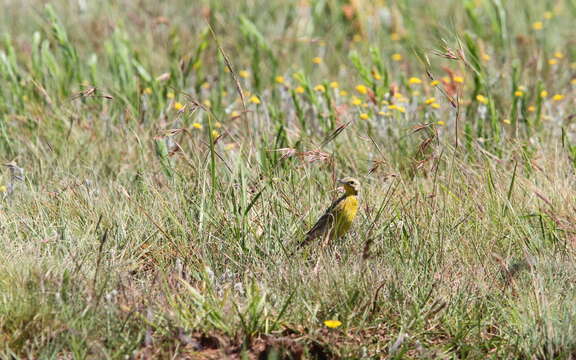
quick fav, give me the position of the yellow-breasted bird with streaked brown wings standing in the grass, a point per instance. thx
(338, 218)
